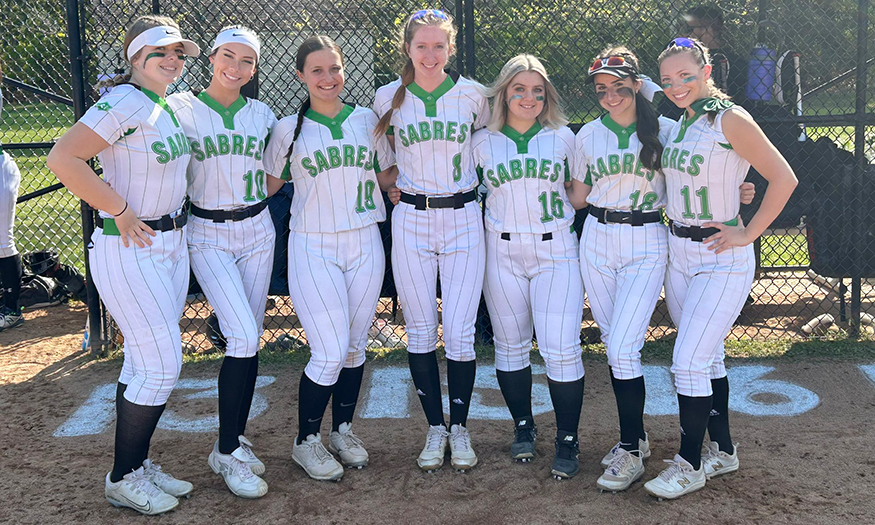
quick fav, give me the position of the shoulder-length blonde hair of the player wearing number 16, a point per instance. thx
(552, 116)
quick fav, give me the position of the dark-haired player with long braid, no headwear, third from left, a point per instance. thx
(336, 259)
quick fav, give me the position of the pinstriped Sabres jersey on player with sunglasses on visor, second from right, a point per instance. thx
(609, 161)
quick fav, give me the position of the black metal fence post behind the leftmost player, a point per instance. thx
(77, 70)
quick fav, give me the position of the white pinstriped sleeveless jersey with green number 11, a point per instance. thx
(702, 172)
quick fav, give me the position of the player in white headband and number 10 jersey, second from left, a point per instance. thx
(231, 236)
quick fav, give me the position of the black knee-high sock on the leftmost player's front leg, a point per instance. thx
(134, 427)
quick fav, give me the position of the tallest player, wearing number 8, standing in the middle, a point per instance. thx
(430, 116)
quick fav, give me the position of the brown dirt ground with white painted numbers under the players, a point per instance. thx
(811, 467)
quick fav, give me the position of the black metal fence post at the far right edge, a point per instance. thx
(860, 155)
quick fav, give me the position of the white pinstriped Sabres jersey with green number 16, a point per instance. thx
(525, 177)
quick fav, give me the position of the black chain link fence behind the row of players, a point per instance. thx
(792, 64)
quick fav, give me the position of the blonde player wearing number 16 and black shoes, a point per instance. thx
(532, 267)
